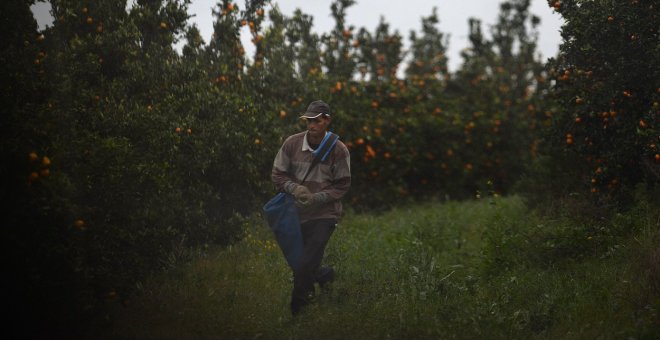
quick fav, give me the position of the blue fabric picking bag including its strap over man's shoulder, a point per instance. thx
(282, 214)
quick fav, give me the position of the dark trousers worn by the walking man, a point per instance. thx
(316, 234)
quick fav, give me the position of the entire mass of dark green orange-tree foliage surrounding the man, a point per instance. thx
(120, 150)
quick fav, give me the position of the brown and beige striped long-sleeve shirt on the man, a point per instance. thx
(331, 178)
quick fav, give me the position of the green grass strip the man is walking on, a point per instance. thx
(481, 269)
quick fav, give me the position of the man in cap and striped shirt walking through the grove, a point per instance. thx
(318, 198)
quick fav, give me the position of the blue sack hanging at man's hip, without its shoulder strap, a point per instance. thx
(282, 216)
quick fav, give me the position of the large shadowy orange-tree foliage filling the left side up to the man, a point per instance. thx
(124, 152)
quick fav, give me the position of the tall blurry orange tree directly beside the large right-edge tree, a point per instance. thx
(499, 92)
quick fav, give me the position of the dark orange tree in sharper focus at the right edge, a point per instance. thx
(606, 94)
